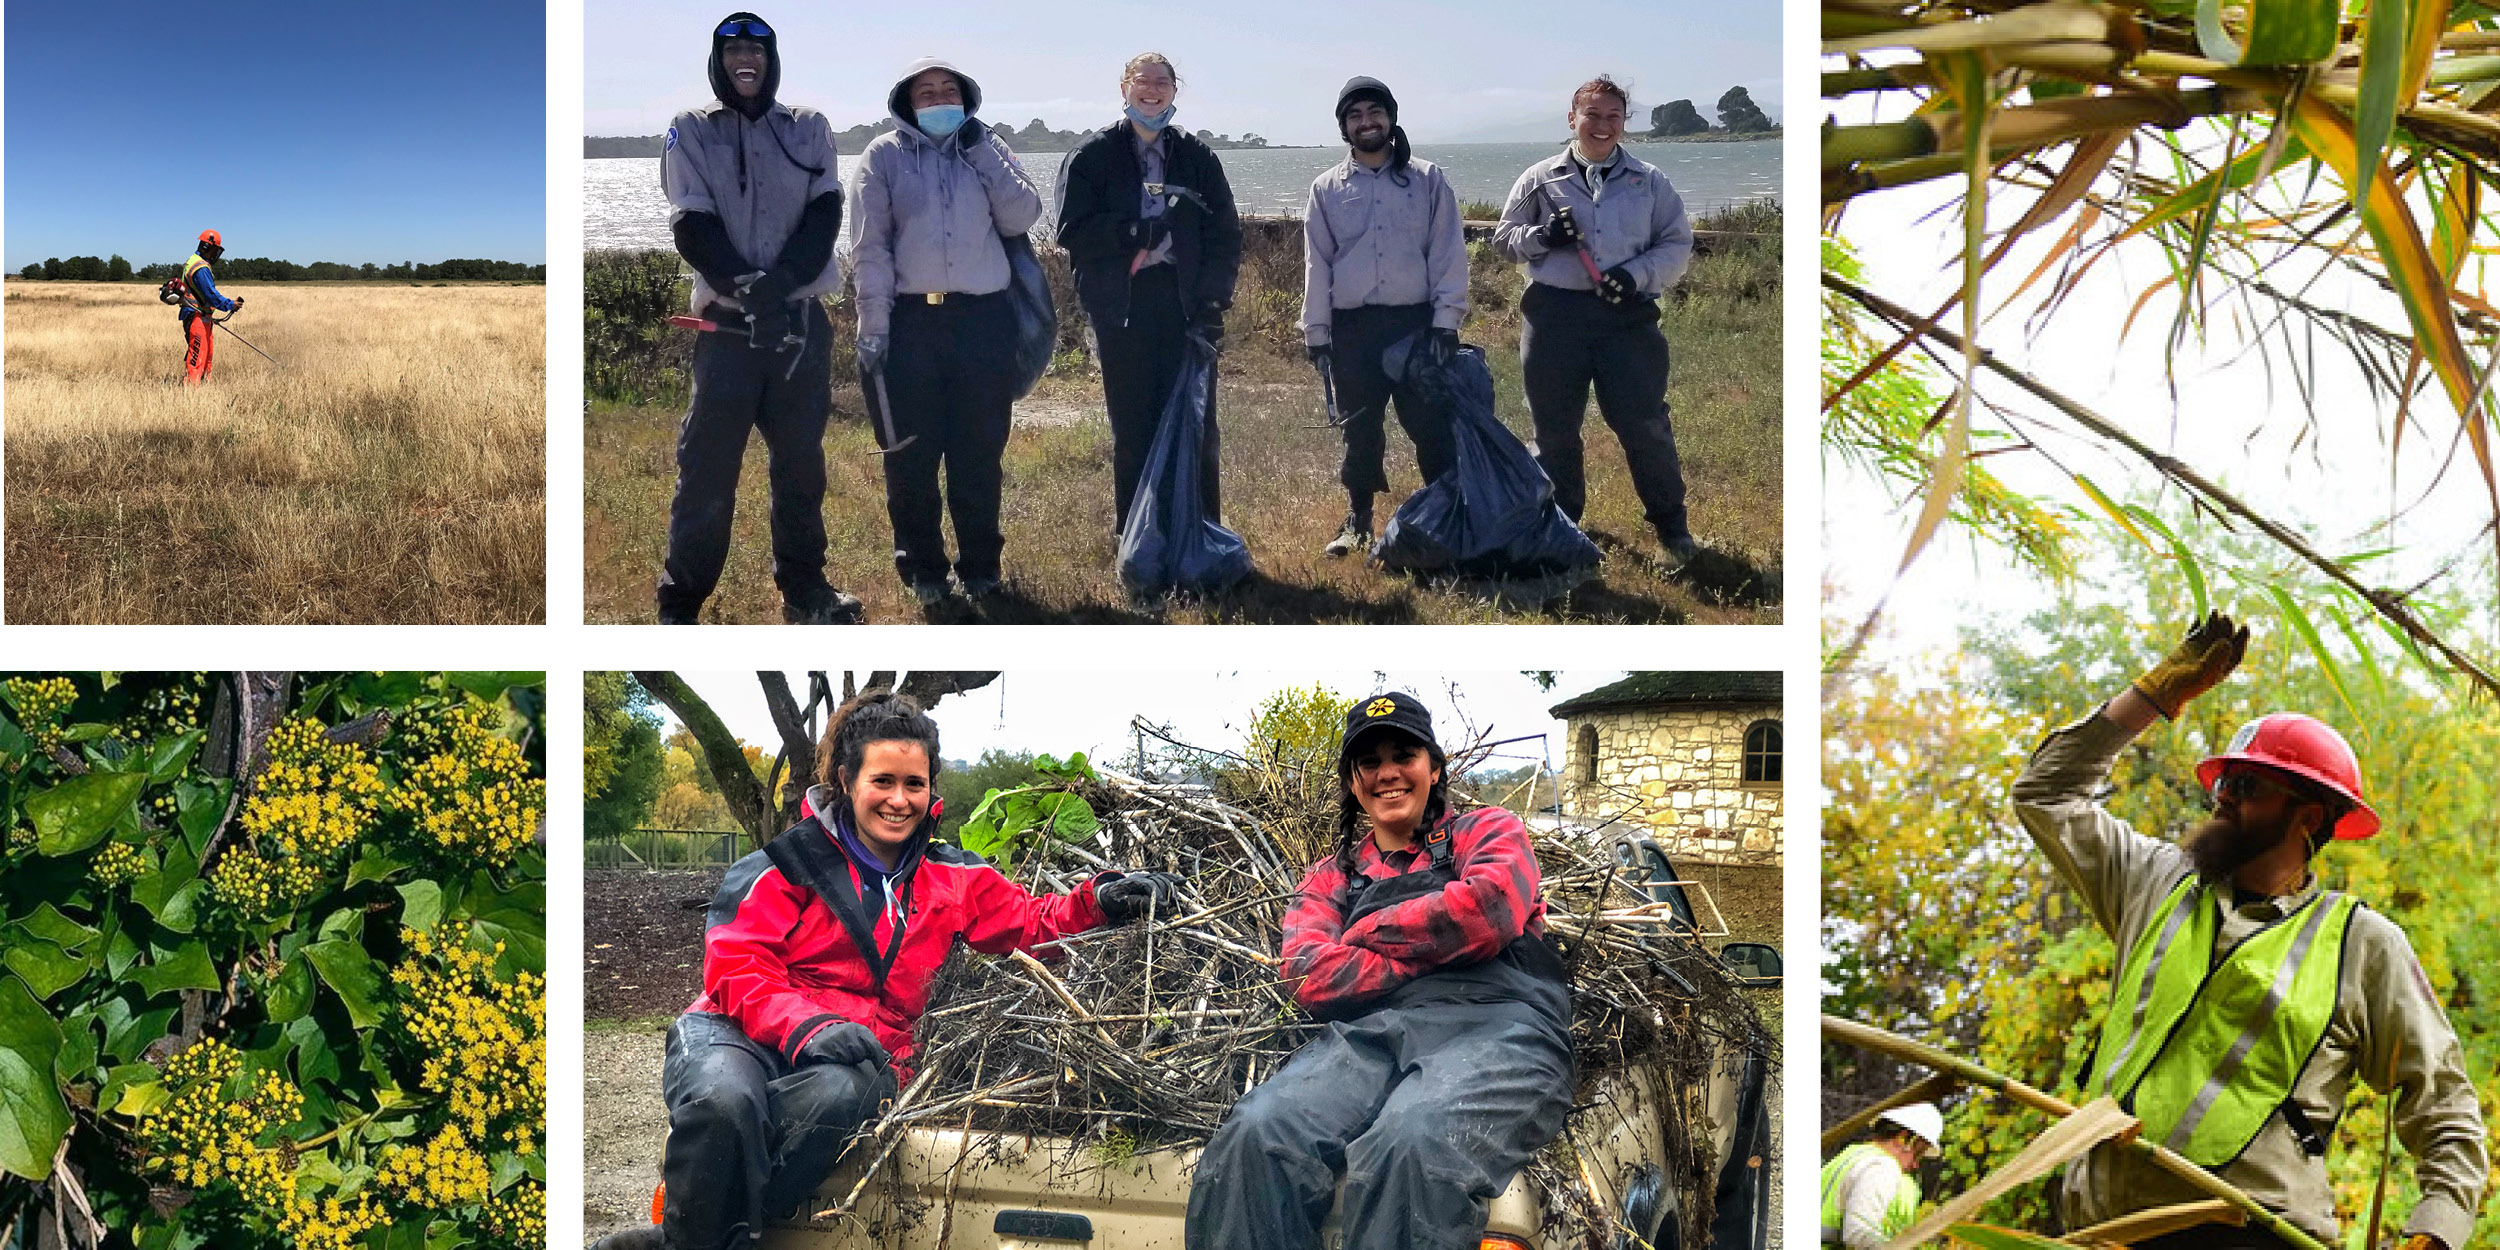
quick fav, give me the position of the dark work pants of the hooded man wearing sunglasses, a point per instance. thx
(741, 389)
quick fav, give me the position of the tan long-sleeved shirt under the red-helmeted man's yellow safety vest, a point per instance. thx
(2384, 1006)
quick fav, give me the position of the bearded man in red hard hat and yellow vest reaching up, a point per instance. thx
(2249, 999)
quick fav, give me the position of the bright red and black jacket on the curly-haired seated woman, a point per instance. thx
(786, 961)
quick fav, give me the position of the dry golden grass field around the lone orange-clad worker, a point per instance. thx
(391, 469)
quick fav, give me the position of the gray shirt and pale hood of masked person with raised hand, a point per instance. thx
(929, 214)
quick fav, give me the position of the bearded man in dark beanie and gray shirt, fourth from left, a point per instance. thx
(1384, 259)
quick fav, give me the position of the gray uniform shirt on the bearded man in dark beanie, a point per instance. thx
(1369, 241)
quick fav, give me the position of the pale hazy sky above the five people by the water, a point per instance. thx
(1269, 66)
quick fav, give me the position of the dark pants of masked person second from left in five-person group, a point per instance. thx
(951, 376)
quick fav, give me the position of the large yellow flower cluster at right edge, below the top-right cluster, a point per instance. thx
(484, 1039)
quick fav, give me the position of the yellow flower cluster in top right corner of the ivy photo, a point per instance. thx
(471, 791)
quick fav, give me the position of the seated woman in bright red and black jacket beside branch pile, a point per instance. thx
(819, 956)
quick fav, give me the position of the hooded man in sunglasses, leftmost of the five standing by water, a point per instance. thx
(756, 206)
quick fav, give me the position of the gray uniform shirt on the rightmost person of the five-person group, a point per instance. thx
(1634, 221)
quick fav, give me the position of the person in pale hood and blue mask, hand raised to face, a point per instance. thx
(936, 324)
